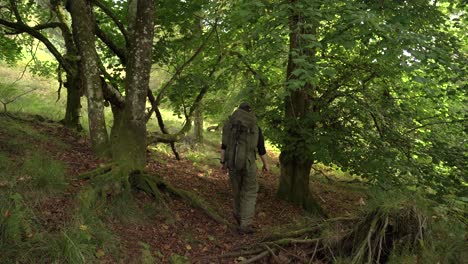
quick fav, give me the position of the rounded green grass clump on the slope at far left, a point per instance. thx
(45, 172)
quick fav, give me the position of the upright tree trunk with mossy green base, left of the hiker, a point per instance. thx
(129, 130)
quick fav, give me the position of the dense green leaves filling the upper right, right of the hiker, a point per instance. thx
(385, 83)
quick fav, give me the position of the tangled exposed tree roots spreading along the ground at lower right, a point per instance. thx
(371, 238)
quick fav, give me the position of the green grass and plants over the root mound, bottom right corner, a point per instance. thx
(441, 235)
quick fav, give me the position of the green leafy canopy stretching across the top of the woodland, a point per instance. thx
(375, 88)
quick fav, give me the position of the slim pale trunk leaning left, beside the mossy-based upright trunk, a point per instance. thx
(83, 32)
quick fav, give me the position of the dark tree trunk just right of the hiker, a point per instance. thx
(295, 164)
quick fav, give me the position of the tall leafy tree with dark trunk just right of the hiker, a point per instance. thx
(351, 67)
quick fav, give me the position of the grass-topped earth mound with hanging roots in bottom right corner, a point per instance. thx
(401, 226)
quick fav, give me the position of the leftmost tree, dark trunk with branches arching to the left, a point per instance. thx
(40, 23)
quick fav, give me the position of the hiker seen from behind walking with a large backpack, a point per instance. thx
(241, 138)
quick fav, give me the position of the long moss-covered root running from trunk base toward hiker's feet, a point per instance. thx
(152, 184)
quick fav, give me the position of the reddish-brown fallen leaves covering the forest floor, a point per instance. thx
(190, 232)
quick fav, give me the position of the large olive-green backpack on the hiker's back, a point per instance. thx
(240, 136)
